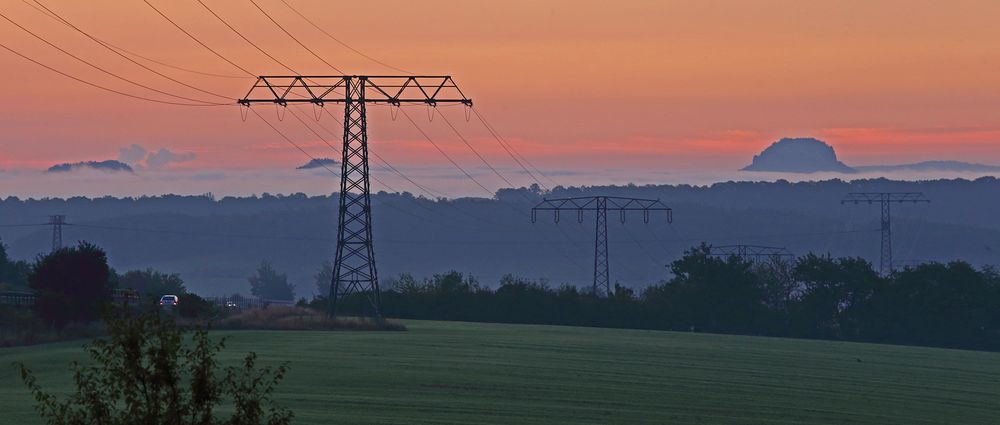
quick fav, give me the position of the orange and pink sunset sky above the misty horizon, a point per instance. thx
(589, 91)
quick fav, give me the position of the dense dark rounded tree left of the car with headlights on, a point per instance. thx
(71, 284)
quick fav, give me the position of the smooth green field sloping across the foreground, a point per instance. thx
(464, 373)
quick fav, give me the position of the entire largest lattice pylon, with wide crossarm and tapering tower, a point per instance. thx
(354, 268)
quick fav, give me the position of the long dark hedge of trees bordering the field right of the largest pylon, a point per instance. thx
(935, 304)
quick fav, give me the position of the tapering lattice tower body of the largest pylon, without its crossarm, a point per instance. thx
(354, 265)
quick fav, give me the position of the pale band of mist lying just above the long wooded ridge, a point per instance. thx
(30, 183)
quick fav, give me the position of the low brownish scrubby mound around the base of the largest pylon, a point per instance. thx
(301, 318)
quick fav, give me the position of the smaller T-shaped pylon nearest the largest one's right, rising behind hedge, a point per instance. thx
(601, 205)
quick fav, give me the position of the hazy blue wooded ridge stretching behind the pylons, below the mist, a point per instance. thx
(215, 243)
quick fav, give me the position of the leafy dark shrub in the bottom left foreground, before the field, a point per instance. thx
(145, 373)
